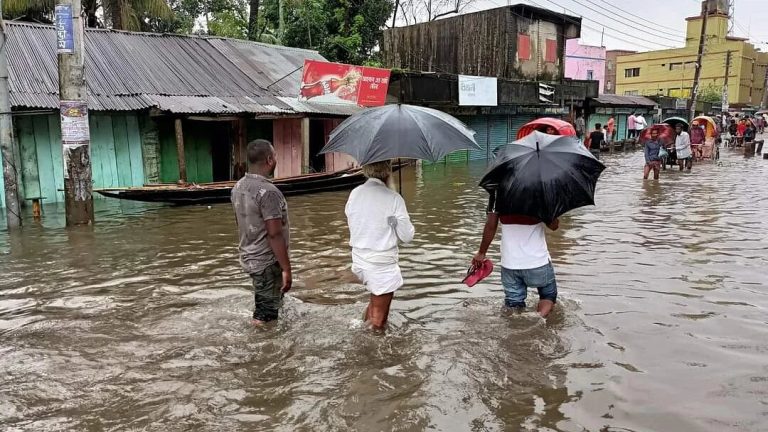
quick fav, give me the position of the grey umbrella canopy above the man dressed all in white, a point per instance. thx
(400, 131)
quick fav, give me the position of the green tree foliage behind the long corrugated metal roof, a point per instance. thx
(347, 31)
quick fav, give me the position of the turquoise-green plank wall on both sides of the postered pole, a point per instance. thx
(116, 154)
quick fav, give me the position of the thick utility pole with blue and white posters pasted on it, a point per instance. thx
(75, 132)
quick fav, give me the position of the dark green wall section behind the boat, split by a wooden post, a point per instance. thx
(197, 145)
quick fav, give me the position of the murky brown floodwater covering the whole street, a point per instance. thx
(142, 323)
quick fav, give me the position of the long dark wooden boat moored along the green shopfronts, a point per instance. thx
(219, 192)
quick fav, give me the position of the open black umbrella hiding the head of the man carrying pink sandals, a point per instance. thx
(543, 176)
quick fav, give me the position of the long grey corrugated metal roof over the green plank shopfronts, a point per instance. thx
(180, 74)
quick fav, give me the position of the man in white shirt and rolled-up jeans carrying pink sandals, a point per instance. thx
(525, 260)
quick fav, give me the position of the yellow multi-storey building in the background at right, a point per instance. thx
(670, 72)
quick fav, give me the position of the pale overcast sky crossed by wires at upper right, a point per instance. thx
(644, 25)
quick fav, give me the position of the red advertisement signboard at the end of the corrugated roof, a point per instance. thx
(340, 83)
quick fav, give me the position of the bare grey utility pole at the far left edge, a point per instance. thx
(10, 172)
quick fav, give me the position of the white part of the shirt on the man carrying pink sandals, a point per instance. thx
(523, 247)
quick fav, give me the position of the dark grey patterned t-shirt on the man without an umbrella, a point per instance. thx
(256, 200)
